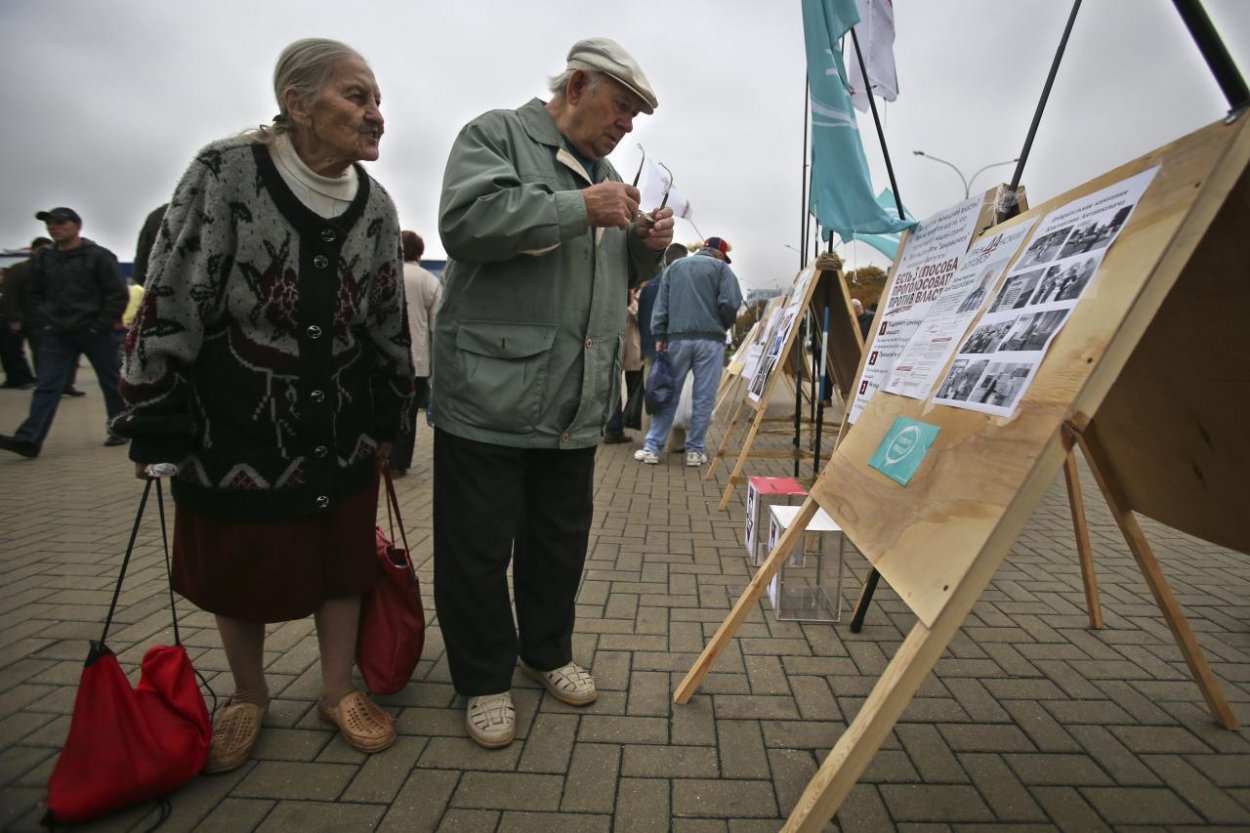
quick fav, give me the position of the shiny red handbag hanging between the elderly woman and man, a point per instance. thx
(392, 618)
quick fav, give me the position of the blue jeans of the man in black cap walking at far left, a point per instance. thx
(58, 358)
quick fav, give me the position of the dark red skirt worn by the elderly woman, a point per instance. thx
(277, 571)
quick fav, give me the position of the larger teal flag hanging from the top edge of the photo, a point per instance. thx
(842, 193)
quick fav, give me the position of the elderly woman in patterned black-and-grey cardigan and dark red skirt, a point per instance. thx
(271, 362)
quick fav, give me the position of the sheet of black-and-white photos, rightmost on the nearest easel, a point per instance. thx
(998, 361)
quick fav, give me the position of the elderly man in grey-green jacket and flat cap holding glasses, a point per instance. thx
(542, 237)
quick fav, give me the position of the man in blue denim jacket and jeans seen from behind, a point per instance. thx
(699, 300)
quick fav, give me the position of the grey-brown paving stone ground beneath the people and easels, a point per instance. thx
(1031, 721)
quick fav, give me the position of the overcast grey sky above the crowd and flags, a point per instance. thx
(104, 104)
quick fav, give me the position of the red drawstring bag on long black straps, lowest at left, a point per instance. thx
(128, 746)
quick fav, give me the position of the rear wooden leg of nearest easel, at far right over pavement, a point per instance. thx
(1087, 436)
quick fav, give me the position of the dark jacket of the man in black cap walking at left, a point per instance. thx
(81, 291)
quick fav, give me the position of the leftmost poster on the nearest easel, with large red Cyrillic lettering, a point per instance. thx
(931, 258)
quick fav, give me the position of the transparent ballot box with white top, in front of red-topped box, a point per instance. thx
(809, 586)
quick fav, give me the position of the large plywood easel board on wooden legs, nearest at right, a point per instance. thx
(1167, 440)
